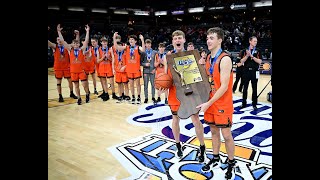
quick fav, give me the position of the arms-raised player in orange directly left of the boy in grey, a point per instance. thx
(132, 58)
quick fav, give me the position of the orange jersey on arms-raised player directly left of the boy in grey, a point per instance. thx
(132, 60)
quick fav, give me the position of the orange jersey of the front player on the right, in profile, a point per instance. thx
(225, 102)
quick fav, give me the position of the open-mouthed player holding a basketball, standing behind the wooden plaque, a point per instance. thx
(178, 40)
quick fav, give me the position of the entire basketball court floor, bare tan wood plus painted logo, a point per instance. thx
(108, 140)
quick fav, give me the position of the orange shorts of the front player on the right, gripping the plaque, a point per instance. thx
(219, 120)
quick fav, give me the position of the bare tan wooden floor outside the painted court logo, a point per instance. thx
(78, 136)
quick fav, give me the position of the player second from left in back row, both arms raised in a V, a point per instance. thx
(76, 60)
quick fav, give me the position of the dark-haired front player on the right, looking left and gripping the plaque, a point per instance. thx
(218, 110)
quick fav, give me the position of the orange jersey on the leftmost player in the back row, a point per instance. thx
(61, 60)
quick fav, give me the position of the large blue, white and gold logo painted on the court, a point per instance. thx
(153, 156)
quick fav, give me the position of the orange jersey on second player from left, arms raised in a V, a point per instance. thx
(76, 64)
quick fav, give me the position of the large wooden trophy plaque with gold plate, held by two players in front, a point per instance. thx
(194, 88)
